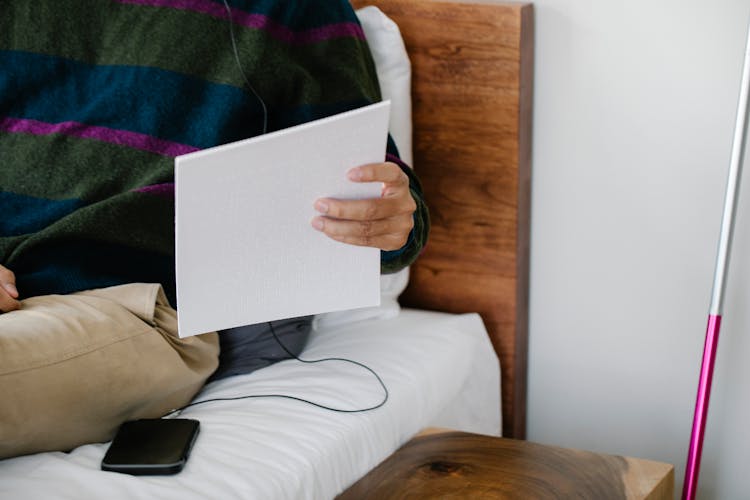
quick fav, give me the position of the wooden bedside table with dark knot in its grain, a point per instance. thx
(453, 465)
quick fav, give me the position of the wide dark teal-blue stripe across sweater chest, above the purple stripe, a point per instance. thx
(149, 101)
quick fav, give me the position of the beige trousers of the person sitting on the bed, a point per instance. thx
(74, 367)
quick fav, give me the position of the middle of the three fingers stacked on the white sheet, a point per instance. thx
(369, 209)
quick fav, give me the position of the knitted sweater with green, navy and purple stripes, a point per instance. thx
(97, 98)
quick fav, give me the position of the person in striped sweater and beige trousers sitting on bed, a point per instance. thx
(95, 103)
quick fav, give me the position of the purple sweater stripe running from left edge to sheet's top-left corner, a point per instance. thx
(113, 136)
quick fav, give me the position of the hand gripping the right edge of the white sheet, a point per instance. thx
(383, 223)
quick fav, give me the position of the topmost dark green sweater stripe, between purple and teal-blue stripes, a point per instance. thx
(165, 38)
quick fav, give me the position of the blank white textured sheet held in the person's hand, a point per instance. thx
(245, 250)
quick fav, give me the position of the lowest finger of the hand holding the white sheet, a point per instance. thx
(386, 234)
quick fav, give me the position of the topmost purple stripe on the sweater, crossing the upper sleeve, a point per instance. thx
(259, 21)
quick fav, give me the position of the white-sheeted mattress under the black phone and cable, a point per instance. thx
(440, 370)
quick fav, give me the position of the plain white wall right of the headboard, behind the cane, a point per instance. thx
(633, 117)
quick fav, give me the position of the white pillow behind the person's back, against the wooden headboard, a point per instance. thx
(394, 75)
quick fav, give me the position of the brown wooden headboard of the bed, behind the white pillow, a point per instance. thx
(472, 75)
